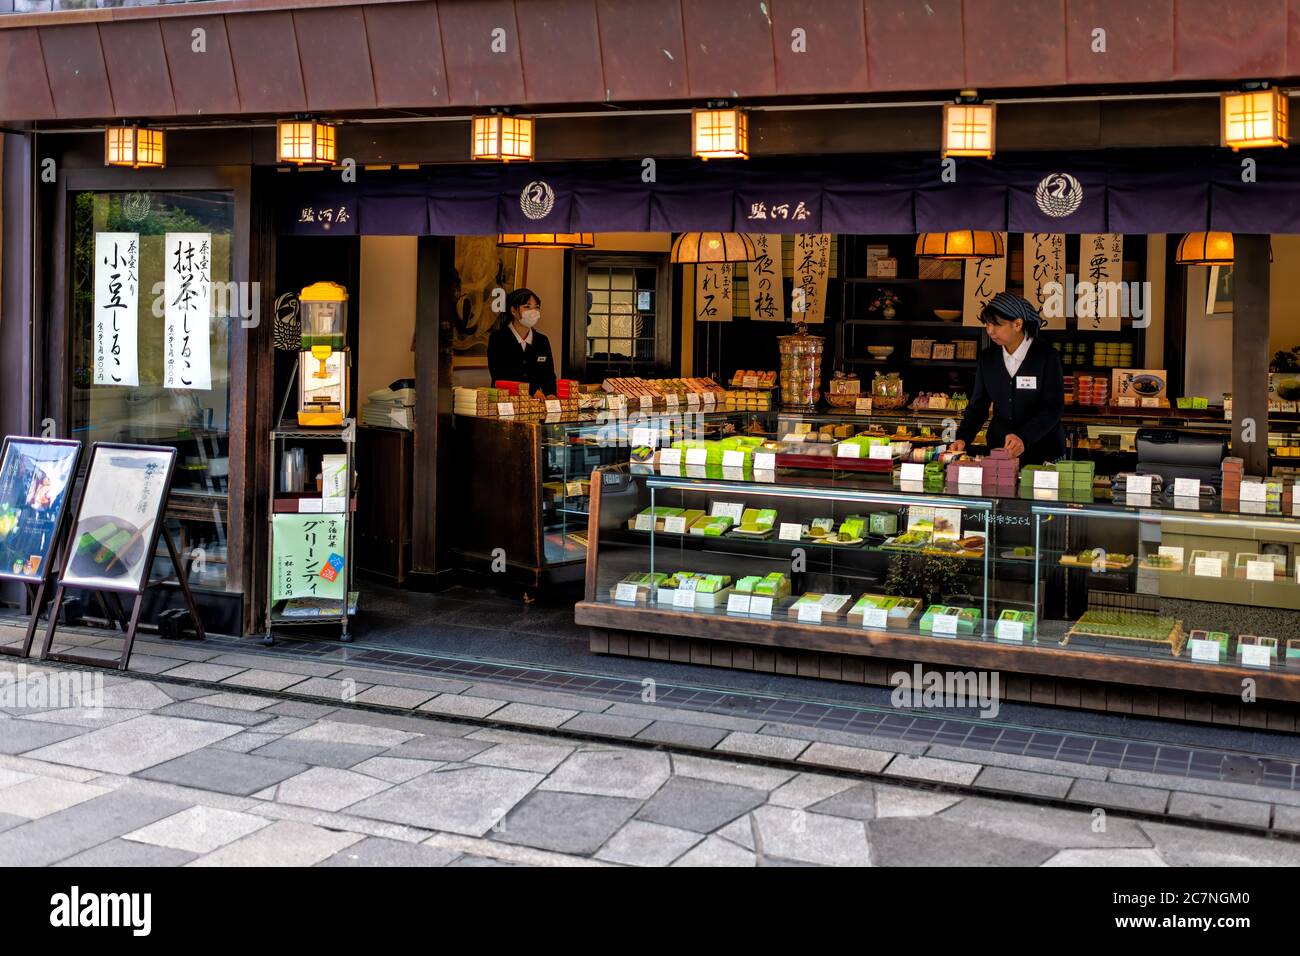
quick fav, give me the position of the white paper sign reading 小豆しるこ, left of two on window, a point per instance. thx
(118, 292)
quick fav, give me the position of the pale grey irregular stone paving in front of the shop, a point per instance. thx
(170, 773)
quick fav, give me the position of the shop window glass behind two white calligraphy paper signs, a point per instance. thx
(197, 422)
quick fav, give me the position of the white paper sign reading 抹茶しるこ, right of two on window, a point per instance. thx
(188, 312)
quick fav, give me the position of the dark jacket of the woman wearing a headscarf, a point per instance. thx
(1029, 405)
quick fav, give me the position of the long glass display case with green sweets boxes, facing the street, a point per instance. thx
(1177, 587)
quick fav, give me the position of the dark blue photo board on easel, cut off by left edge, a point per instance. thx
(36, 482)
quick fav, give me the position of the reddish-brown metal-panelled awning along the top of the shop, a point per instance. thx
(333, 57)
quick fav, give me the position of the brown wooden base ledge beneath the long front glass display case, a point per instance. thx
(1037, 660)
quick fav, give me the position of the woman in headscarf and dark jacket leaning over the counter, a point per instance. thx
(1020, 378)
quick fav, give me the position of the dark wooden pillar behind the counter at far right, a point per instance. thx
(1251, 352)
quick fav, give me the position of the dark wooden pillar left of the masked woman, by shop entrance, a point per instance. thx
(435, 304)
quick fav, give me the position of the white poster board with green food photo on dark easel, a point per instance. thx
(119, 518)
